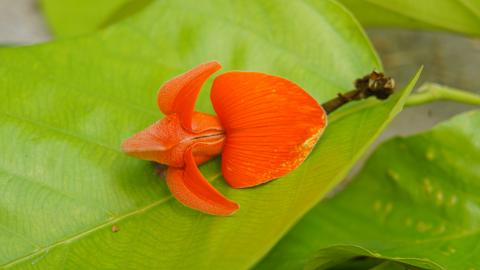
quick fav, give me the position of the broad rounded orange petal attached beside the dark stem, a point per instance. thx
(271, 126)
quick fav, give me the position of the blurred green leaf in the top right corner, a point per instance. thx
(460, 16)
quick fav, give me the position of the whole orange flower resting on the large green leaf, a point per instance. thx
(266, 127)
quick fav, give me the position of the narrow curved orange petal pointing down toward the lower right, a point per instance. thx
(190, 187)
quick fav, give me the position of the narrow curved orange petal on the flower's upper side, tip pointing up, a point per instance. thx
(180, 93)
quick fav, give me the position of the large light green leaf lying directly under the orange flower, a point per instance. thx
(67, 106)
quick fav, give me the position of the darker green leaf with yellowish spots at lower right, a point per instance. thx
(416, 201)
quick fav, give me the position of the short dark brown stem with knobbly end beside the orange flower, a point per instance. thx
(373, 84)
